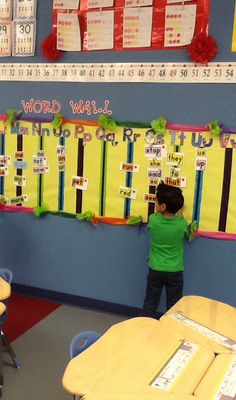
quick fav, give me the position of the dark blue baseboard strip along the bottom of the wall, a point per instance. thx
(69, 299)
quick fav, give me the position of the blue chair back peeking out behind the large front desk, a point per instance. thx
(82, 341)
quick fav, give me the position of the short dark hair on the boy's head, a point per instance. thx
(171, 196)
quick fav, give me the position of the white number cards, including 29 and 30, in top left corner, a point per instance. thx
(17, 27)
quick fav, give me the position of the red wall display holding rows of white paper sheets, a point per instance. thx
(88, 25)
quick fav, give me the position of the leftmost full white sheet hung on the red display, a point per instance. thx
(68, 32)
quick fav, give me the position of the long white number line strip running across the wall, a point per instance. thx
(120, 72)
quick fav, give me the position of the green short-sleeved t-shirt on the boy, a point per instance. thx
(167, 242)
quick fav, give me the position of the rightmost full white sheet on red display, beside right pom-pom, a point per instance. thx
(179, 25)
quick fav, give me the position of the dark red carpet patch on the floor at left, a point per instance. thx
(24, 312)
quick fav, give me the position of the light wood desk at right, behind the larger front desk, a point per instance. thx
(206, 321)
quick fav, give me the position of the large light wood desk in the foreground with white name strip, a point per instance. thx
(126, 360)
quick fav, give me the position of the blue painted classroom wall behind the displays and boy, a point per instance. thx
(104, 262)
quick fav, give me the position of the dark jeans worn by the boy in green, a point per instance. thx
(156, 280)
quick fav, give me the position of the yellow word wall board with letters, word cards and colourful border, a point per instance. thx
(79, 167)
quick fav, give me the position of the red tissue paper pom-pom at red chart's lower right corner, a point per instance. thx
(202, 49)
